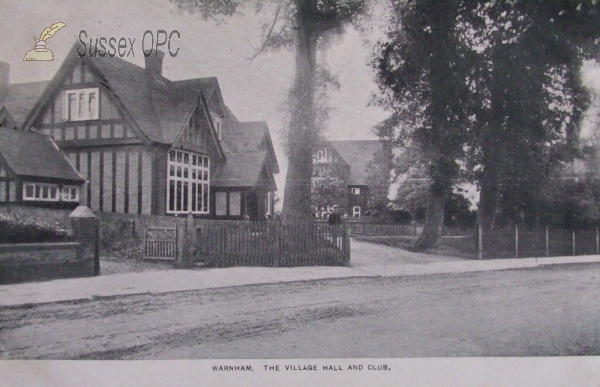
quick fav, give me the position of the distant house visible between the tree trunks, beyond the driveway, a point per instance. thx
(348, 161)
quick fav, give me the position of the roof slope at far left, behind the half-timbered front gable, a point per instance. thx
(21, 98)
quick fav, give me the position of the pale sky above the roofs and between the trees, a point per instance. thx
(254, 90)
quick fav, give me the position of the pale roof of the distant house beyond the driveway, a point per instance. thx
(357, 154)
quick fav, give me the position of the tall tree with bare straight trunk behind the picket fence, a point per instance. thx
(304, 25)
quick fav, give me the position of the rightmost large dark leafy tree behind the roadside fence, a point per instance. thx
(526, 80)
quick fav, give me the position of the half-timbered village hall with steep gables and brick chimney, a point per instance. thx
(143, 144)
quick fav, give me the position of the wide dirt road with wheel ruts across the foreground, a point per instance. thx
(534, 312)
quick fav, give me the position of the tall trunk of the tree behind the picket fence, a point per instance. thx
(302, 131)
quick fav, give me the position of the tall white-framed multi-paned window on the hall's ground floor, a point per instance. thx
(188, 183)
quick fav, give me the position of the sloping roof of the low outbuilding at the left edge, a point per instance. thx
(32, 155)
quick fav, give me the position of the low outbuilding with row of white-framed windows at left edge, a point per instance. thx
(33, 171)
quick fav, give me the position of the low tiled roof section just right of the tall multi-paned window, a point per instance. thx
(241, 170)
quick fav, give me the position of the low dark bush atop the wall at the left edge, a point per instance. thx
(13, 229)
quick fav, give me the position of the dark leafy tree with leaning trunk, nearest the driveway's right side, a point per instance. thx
(420, 66)
